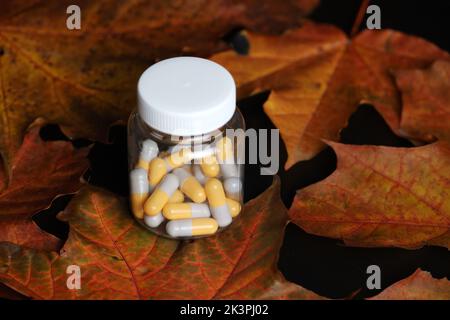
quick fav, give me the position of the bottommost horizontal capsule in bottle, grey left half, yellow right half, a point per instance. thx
(191, 227)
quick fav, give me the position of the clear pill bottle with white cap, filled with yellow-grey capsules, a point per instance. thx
(184, 149)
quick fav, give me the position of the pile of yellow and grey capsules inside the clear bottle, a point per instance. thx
(196, 199)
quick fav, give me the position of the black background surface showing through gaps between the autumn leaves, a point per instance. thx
(323, 265)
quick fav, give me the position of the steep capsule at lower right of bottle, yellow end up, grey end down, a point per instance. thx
(217, 202)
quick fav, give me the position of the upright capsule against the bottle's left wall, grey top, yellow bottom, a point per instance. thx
(139, 190)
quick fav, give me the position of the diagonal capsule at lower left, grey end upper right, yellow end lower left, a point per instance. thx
(161, 195)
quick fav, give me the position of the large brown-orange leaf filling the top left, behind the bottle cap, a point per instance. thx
(85, 80)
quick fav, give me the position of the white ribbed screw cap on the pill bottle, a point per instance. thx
(186, 96)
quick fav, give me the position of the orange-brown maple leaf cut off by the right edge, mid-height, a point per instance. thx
(381, 196)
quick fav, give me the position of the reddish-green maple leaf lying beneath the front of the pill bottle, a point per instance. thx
(119, 259)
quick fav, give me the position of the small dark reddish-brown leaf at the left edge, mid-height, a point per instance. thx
(41, 171)
